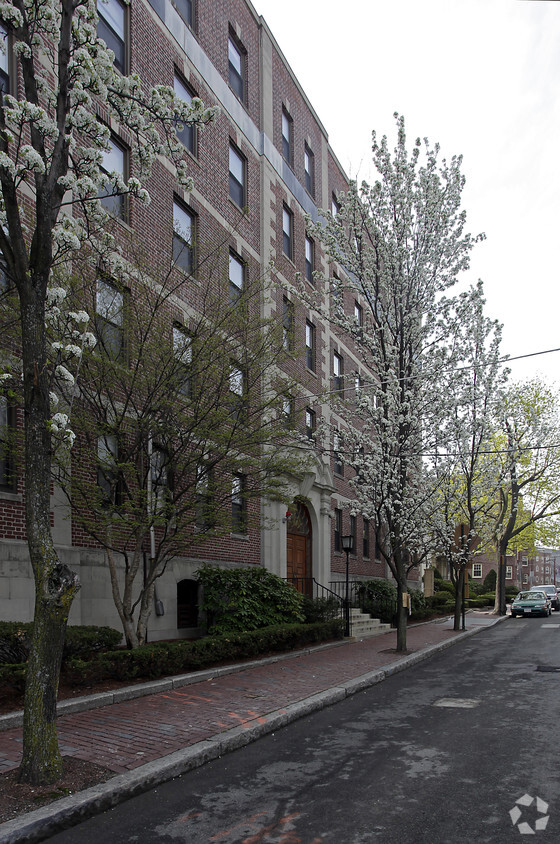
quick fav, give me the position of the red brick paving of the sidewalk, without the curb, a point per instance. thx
(125, 735)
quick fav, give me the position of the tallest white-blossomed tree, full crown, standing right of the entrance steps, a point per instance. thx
(399, 246)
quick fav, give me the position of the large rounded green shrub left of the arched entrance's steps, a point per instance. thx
(247, 599)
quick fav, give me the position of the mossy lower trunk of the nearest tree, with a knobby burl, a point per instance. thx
(55, 584)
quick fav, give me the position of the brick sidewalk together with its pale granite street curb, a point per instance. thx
(151, 733)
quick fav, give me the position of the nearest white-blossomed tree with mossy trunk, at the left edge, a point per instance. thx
(51, 150)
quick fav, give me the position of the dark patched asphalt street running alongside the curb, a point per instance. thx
(460, 748)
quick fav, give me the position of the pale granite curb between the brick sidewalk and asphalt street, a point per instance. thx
(42, 823)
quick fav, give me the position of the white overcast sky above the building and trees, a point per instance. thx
(480, 77)
